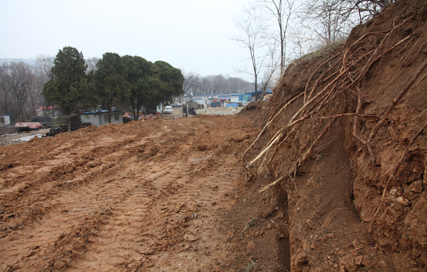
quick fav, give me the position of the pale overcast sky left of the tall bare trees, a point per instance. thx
(192, 35)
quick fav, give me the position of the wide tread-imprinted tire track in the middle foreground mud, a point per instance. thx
(164, 213)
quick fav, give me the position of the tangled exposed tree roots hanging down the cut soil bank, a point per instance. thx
(327, 92)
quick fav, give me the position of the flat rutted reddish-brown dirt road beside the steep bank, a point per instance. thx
(149, 195)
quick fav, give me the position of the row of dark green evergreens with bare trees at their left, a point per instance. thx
(72, 84)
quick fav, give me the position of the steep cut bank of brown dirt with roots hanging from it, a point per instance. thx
(345, 144)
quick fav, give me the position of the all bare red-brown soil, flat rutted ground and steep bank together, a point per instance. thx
(344, 137)
